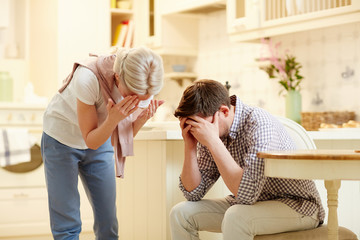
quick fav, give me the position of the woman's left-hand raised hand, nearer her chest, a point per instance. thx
(121, 110)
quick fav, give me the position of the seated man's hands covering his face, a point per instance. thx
(197, 129)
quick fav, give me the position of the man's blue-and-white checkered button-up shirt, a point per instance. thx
(254, 130)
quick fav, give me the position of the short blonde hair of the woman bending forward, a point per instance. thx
(140, 69)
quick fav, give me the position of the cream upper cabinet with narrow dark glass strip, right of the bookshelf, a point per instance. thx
(166, 34)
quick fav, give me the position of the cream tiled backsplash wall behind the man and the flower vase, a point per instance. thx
(324, 53)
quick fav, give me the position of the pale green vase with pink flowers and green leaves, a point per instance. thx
(286, 70)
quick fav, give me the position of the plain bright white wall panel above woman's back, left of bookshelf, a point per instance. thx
(83, 28)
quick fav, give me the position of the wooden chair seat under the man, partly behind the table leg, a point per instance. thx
(319, 233)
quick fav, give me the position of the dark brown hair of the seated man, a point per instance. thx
(203, 97)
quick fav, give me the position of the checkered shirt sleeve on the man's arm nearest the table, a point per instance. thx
(261, 138)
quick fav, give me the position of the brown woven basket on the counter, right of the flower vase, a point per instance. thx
(311, 120)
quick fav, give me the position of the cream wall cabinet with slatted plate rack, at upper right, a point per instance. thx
(251, 20)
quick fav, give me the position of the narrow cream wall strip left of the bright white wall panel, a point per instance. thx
(43, 57)
